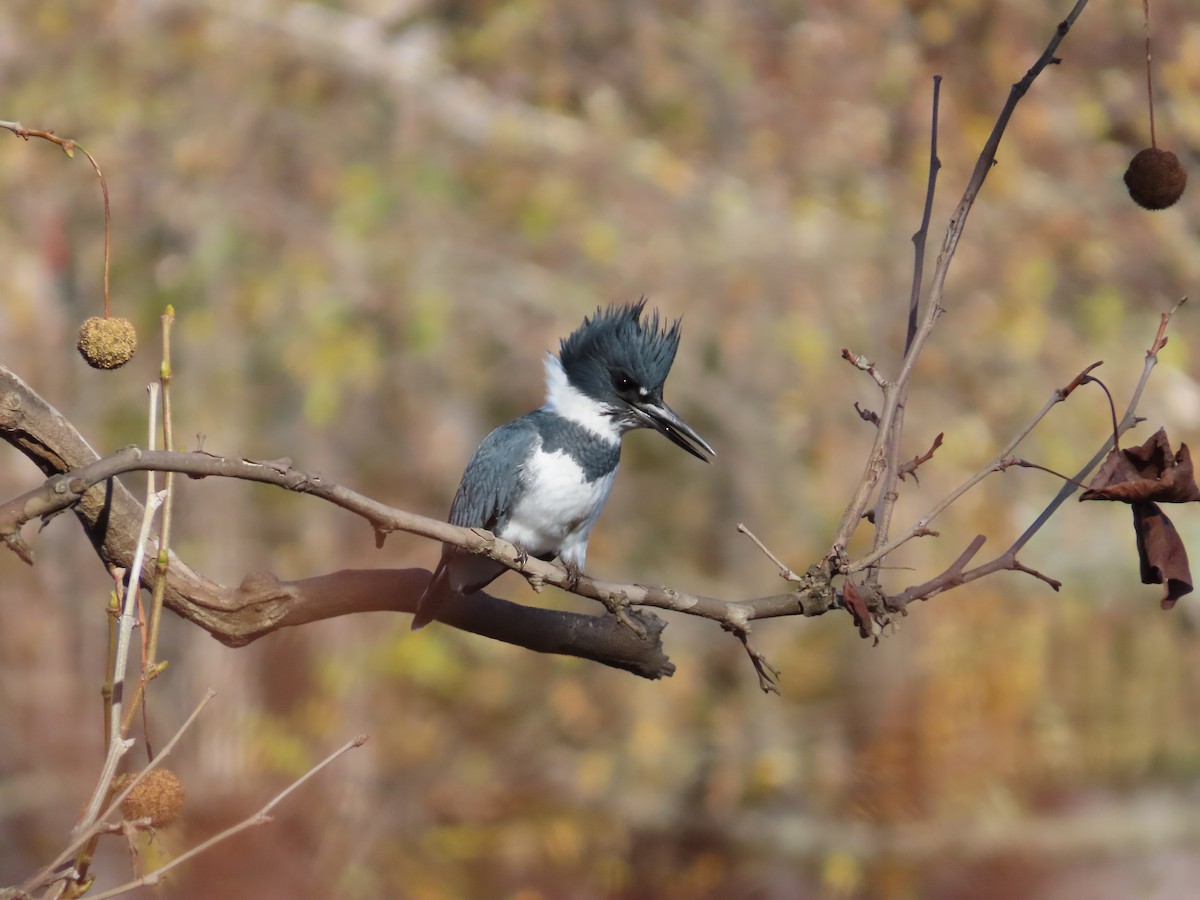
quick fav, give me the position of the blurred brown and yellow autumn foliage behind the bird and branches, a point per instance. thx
(374, 217)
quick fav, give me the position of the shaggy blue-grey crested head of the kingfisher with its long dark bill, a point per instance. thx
(621, 361)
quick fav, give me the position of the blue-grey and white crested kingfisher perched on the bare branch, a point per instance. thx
(541, 482)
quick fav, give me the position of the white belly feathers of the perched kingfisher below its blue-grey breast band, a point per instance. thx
(559, 508)
